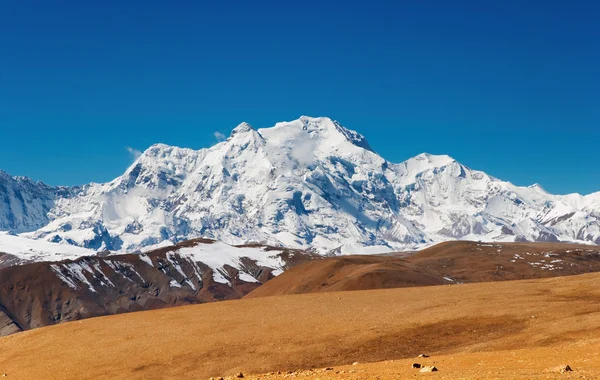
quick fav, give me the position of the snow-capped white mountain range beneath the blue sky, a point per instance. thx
(308, 183)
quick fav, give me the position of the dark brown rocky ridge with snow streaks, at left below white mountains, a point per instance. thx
(44, 293)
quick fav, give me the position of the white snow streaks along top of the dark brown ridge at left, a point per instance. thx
(187, 265)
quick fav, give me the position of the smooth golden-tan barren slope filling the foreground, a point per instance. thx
(559, 318)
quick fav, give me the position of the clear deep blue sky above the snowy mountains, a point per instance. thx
(508, 87)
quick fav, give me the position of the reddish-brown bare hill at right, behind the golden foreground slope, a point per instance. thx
(445, 263)
